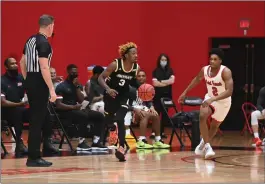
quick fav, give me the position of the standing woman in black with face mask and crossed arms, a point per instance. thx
(163, 78)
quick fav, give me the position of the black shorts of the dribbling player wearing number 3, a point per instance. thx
(112, 105)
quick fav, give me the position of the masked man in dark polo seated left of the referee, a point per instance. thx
(14, 106)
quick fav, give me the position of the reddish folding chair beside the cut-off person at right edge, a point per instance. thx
(247, 109)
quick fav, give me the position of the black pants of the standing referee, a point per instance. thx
(40, 125)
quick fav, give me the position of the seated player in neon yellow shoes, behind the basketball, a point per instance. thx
(147, 113)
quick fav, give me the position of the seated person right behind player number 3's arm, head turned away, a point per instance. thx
(94, 91)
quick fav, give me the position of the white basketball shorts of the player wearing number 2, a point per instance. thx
(220, 109)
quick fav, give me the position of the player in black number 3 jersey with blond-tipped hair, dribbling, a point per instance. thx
(119, 75)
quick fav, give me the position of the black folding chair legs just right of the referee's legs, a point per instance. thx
(56, 119)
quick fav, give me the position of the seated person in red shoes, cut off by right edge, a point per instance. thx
(258, 115)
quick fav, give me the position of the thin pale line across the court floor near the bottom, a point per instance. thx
(91, 172)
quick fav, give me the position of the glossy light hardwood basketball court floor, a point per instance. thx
(235, 161)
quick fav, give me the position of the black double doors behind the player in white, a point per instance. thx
(246, 59)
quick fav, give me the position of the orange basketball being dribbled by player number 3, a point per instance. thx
(146, 92)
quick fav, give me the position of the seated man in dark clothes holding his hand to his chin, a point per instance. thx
(70, 108)
